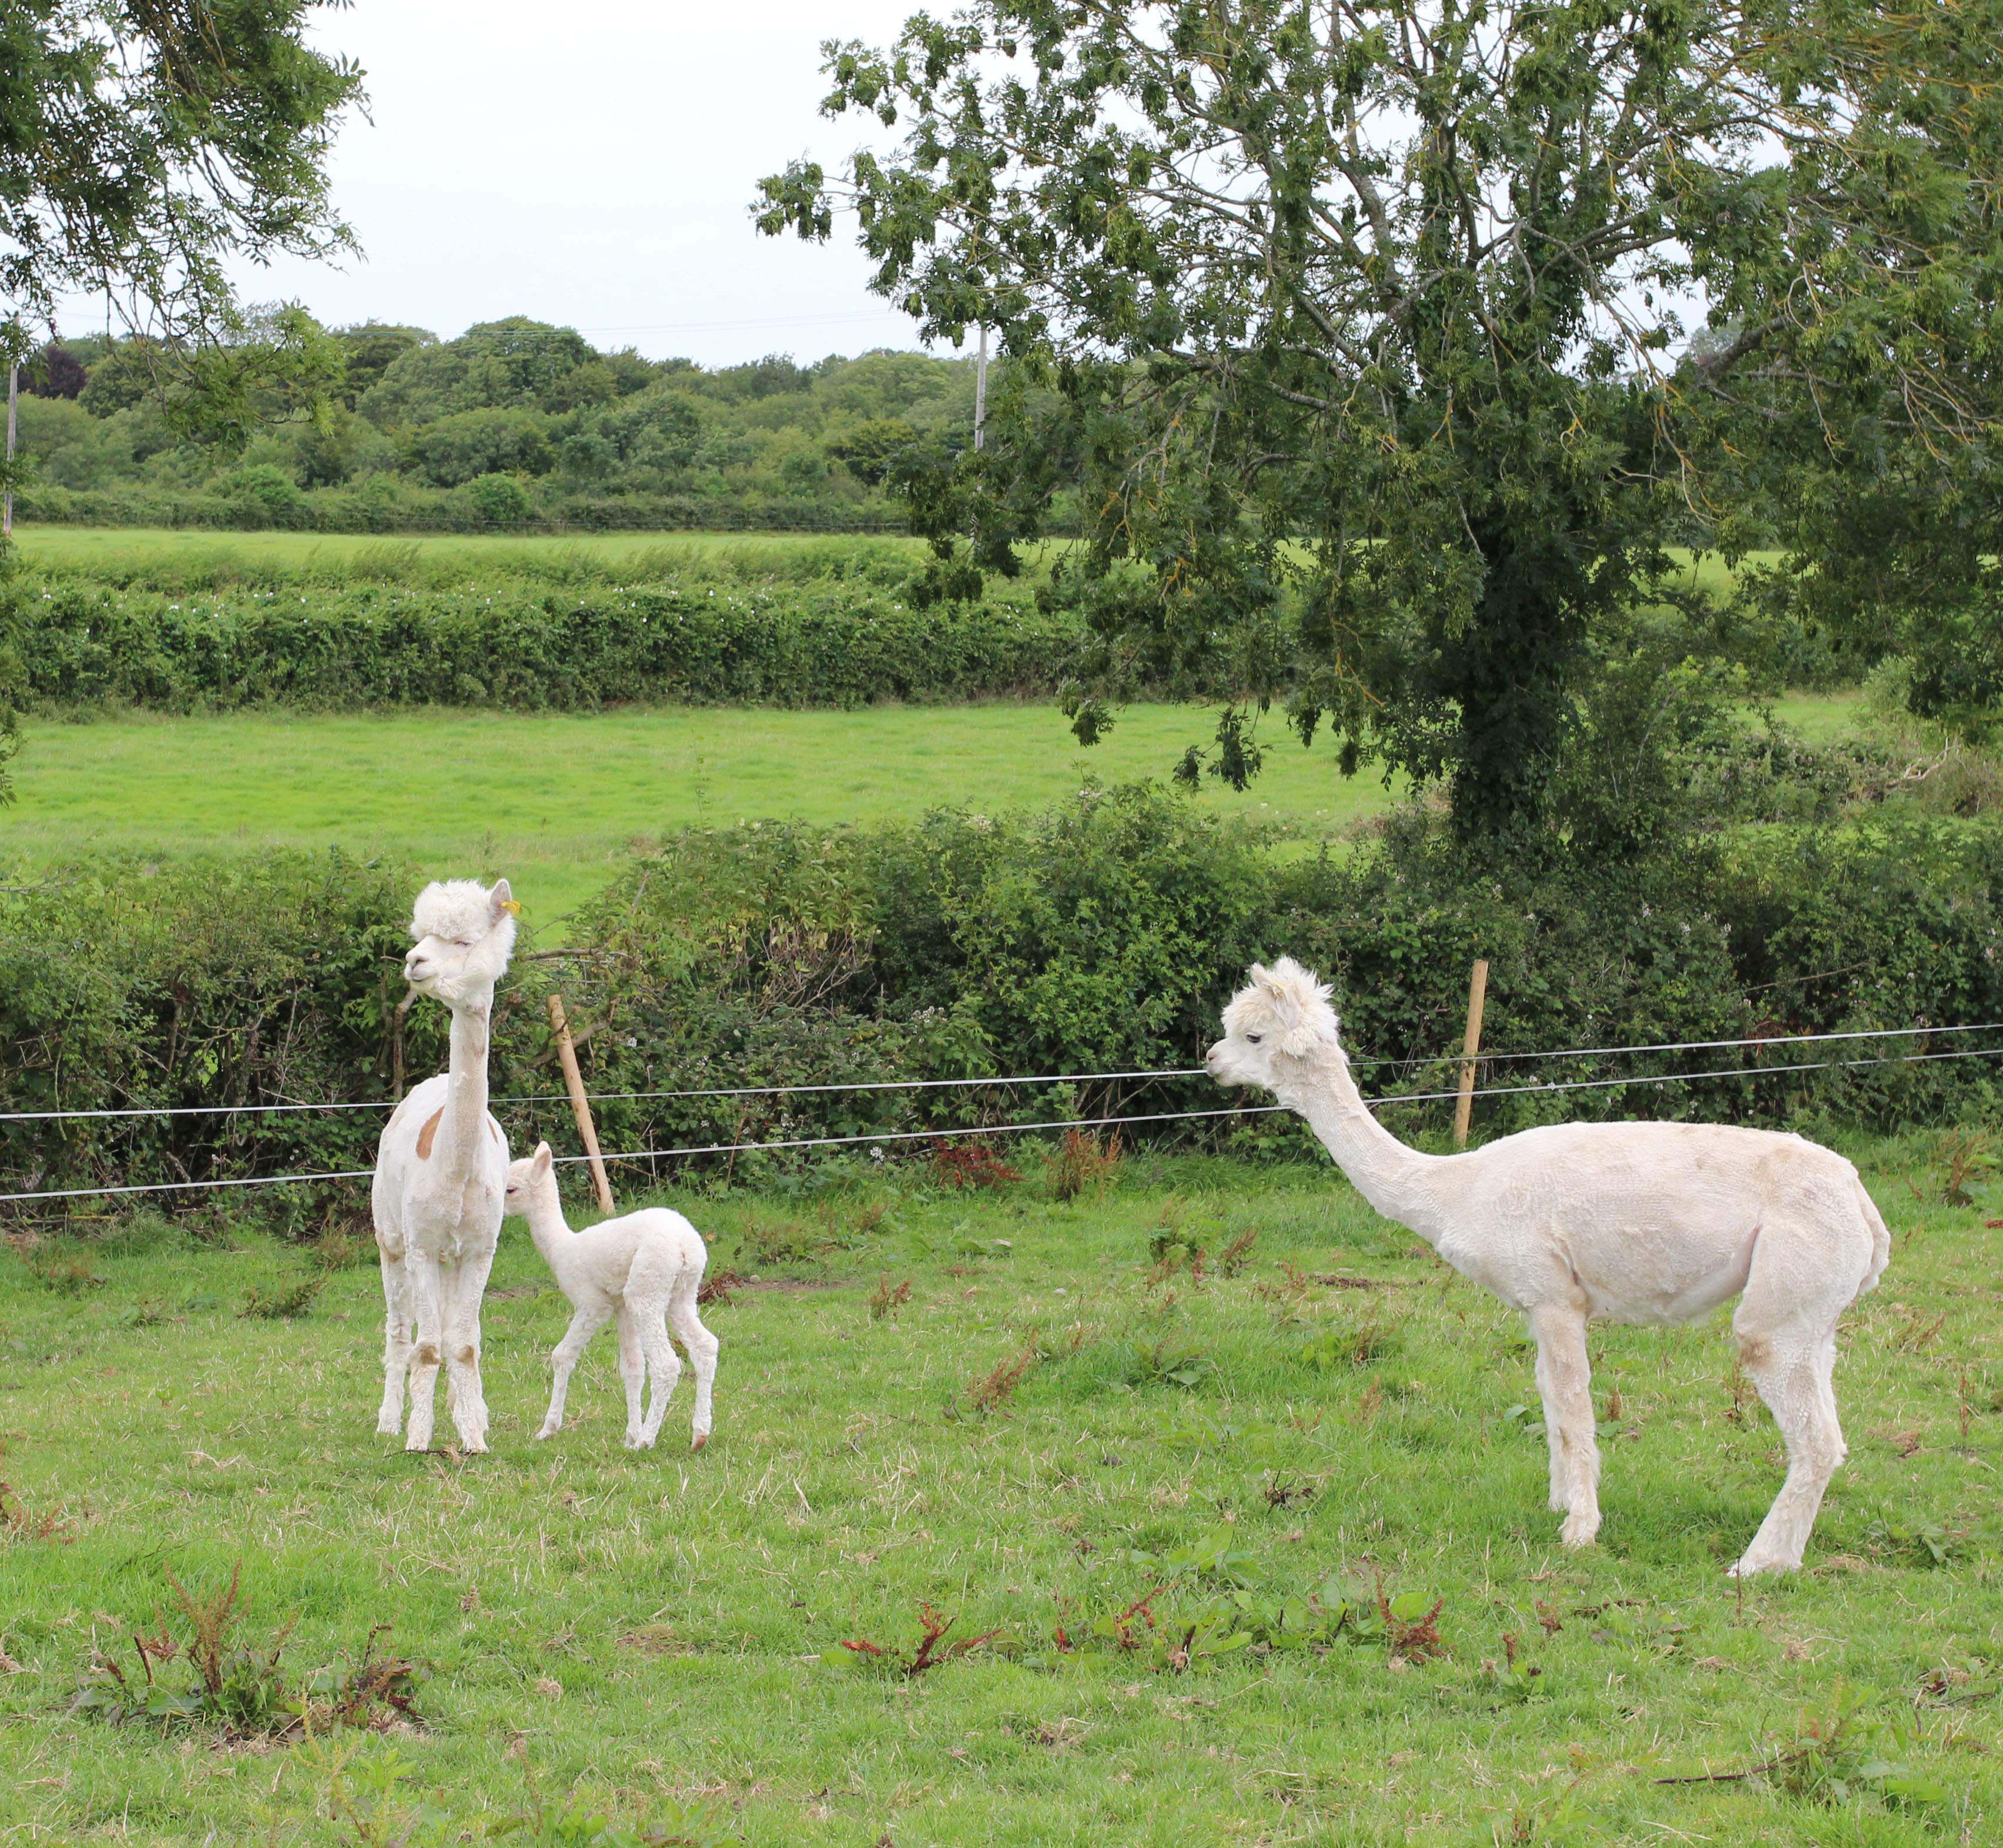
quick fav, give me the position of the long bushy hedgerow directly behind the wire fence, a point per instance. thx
(1101, 936)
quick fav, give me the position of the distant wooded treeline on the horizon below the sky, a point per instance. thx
(514, 425)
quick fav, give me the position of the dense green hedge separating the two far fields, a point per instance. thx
(690, 642)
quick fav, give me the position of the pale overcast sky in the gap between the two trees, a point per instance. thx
(592, 165)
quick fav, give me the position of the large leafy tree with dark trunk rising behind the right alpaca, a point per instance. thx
(1391, 343)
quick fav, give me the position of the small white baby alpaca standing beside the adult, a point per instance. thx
(644, 1270)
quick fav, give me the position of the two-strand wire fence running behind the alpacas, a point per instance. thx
(1067, 1124)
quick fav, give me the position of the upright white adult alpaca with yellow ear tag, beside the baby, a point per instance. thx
(442, 1170)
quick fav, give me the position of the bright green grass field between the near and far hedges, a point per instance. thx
(556, 802)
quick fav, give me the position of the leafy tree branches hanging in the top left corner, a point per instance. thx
(143, 145)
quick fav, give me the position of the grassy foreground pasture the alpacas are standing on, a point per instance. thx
(652, 1629)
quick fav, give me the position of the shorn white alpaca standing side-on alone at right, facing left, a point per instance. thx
(1631, 1222)
